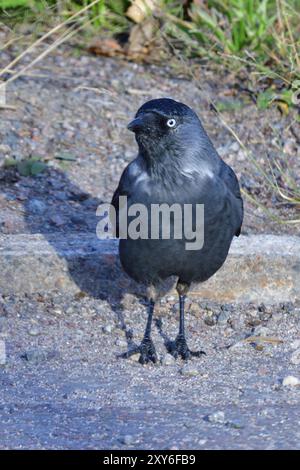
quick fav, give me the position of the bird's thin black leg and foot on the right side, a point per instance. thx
(179, 347)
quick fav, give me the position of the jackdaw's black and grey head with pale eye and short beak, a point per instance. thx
(165, 125)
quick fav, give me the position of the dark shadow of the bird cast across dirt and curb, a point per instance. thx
(56, 208)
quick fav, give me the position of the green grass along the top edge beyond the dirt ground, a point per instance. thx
(264, 33)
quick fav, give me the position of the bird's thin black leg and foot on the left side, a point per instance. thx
(146, 348)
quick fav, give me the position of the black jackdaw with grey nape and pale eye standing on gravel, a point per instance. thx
(176, 163)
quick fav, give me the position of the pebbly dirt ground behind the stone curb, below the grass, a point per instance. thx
(72, 112)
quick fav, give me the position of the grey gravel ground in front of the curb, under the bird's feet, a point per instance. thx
(63, 386)
